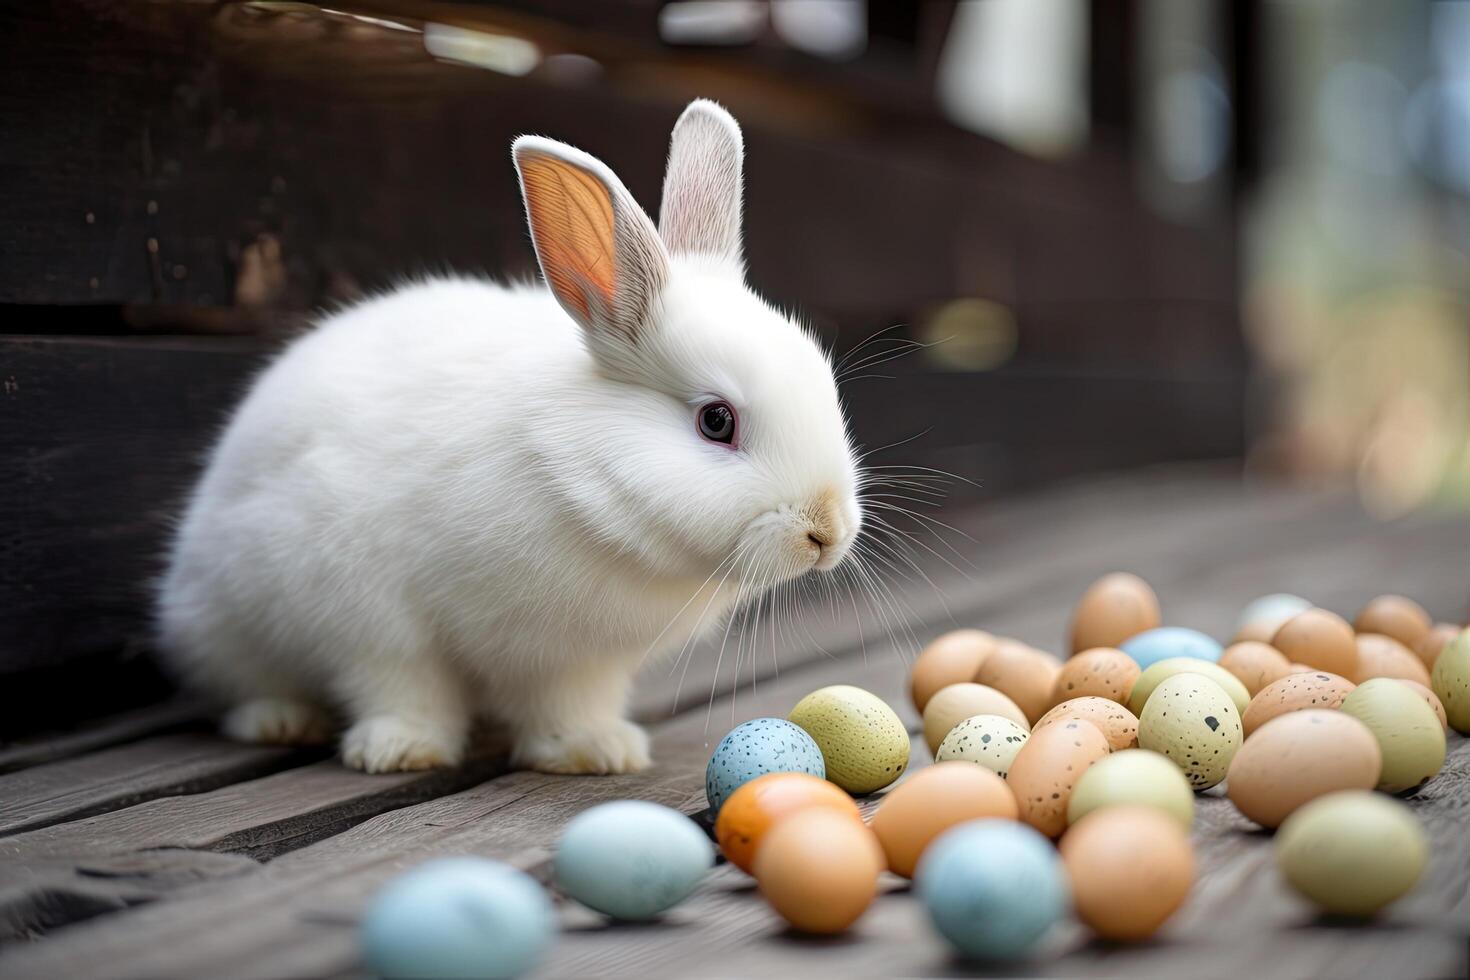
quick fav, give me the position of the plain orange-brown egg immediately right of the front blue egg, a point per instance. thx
(1131, 869)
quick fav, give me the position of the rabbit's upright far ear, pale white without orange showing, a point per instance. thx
(702, 189)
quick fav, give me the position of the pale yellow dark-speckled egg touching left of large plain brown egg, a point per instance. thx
(1193, 721)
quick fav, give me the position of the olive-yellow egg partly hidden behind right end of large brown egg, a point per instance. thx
(1406, 728)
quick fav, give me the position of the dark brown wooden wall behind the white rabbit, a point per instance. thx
(183, 184)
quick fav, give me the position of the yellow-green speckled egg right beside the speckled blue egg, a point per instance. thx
(864, 743)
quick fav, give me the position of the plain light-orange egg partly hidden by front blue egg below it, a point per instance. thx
(934, 800)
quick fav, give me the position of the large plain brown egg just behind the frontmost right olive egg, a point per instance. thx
(1297, 757)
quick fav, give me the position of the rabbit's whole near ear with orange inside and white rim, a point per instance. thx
(599, 252)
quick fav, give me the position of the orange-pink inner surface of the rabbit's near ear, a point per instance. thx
(571, 220)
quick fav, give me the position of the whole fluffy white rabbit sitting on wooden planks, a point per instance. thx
(467, 500)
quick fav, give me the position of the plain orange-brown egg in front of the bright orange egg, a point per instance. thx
(820, 871)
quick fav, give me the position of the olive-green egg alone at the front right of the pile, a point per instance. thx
(1352, 853)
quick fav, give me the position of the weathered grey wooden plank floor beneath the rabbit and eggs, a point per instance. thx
(149, 849)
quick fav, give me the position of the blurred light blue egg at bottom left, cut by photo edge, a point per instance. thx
(458, 918)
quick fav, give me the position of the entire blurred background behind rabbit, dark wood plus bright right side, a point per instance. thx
(1059, 237)
